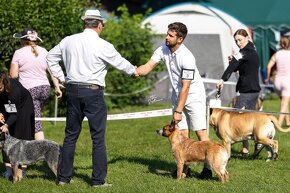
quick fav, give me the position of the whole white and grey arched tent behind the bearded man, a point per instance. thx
(210, 39)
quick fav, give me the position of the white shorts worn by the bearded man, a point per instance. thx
(193, 115)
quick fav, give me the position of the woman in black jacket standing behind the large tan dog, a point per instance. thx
(246, 62)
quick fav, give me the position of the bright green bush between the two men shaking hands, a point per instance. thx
(134, 43)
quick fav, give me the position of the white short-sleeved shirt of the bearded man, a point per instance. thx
(179, 61)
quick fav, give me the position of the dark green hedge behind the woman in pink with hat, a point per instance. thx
(53, 20)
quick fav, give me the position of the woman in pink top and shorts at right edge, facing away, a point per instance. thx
(282, 79)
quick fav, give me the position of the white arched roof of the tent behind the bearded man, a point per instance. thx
(195, 16)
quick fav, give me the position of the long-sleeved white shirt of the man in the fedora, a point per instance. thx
(86, 57)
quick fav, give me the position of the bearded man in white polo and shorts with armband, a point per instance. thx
(188, 96)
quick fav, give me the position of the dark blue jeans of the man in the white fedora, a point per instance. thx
(83, 102)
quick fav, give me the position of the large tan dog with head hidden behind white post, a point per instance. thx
(232, 127)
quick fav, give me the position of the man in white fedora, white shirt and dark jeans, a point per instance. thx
(86, 57)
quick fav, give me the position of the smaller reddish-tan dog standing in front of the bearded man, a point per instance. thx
(187, 151)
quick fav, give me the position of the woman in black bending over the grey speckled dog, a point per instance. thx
(16, 112)
